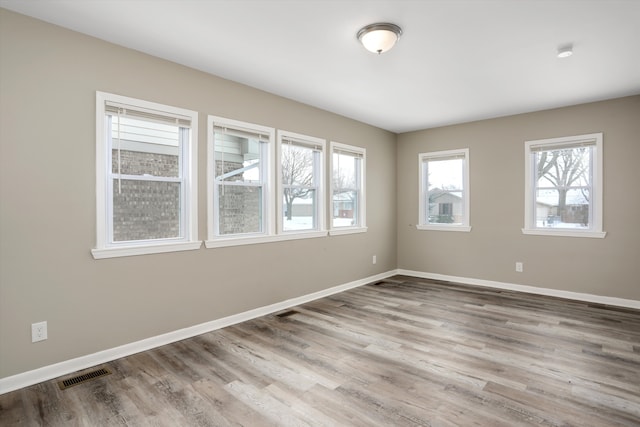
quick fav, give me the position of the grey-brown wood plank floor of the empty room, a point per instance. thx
(404, 352)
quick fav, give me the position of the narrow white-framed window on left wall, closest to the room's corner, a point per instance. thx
(347, 189)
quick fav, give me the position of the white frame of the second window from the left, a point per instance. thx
(214, 240)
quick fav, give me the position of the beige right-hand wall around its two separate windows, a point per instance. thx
(606, 267)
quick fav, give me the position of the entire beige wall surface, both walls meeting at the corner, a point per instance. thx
(48, 79)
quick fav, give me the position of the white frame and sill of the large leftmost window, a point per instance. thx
(105, 246)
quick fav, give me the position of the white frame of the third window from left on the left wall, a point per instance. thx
(317, 144)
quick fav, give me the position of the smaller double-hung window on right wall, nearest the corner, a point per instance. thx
(444, 190)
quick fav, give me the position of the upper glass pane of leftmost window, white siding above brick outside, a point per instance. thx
(142, 147)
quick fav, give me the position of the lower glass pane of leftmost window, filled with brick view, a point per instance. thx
(145, 210)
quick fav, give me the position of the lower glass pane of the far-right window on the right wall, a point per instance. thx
(563, 208)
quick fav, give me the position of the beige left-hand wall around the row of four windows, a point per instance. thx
(48, 80)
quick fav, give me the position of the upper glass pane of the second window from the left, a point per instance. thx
(237, 158)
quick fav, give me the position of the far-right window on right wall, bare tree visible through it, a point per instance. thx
(563, 179)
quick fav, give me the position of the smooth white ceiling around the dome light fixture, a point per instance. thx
(457, 61)
